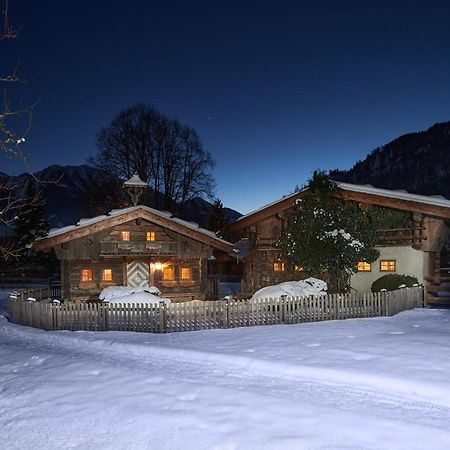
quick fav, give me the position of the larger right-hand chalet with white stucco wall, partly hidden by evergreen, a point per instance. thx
(414, 250)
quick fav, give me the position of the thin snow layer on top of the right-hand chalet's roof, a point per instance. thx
(433, 200)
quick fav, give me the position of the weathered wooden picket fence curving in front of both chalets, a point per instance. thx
(189, 316)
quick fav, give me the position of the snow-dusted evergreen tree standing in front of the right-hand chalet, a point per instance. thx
(327, 236)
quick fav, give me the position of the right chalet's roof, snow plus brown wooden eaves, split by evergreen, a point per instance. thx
(431, 205)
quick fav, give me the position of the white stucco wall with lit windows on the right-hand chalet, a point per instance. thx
(408, 262)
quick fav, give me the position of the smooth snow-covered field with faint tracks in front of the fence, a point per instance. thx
(356, 384)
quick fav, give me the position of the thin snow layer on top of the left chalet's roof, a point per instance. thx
(118, 212)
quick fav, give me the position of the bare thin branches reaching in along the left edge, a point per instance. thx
(15, 123)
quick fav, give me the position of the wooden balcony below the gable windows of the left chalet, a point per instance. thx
(137, 248)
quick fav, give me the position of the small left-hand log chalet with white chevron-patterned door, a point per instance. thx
(136, 247)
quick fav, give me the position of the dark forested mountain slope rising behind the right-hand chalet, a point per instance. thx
(416, 162)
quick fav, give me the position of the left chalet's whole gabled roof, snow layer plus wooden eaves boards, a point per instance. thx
(118, 216)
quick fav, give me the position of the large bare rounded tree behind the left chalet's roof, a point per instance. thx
(164, 153)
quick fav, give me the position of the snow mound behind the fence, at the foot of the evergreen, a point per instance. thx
(303, 288)
